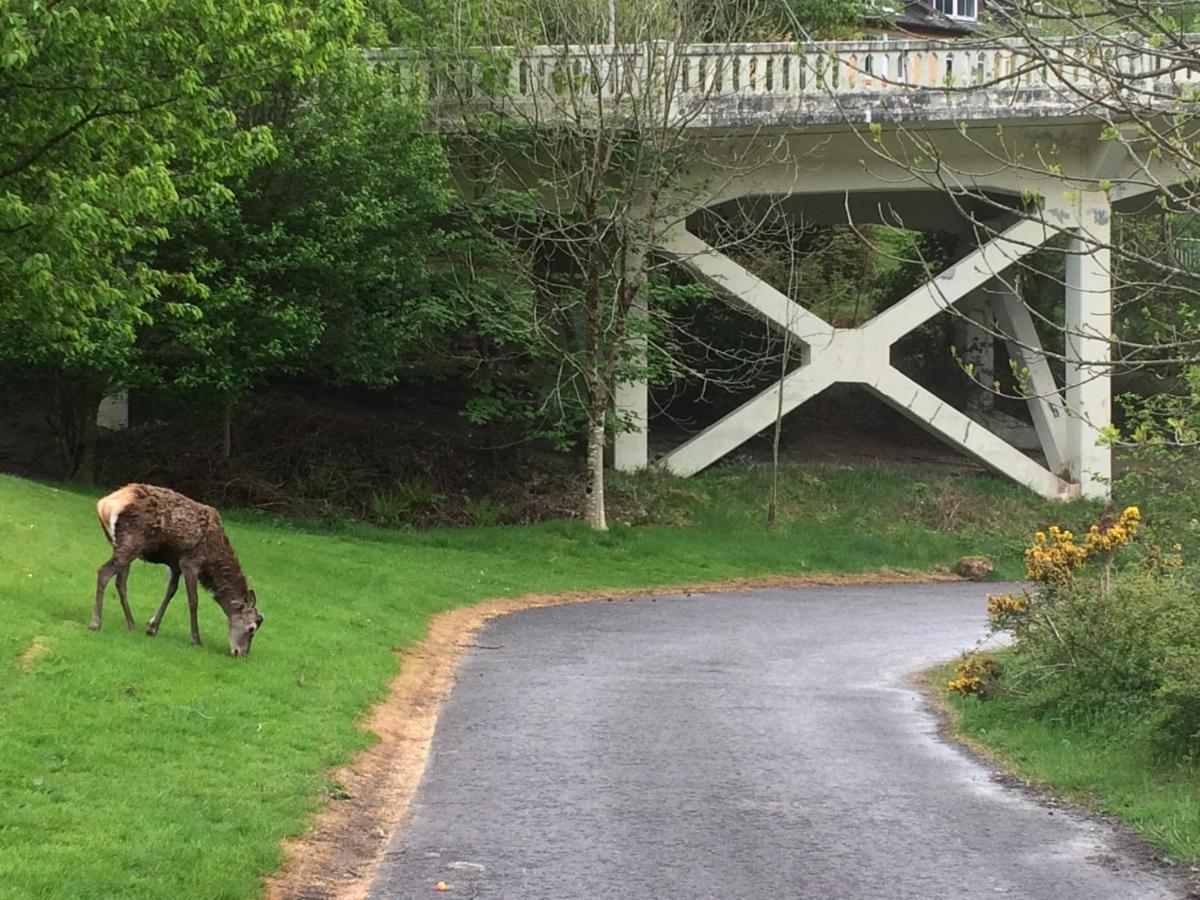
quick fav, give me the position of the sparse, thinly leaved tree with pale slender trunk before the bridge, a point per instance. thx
(567, 118)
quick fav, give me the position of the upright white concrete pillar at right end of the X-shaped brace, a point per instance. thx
(1089, 329)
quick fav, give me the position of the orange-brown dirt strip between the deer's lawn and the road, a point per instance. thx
(338, 857)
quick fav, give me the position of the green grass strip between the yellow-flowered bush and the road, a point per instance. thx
(1101, 765)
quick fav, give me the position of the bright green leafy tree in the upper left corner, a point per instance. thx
(115, 121)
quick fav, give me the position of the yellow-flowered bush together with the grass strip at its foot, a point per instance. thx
(1099, 697)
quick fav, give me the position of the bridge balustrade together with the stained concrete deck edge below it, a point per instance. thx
(790, 85)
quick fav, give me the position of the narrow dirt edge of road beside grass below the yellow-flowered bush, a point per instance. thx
(1126, 839)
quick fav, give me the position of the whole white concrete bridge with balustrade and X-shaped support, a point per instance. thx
(974, 139)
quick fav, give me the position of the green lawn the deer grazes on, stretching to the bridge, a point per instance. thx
(135, 767)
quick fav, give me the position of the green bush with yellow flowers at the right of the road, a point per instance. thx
(1111, 629)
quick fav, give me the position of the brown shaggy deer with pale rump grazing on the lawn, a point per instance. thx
(167, 529)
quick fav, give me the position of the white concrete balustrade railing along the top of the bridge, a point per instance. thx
(566, 74)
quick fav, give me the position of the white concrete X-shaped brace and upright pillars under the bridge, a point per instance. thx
(979, 289)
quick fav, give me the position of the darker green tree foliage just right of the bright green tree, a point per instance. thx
(325, 259)
